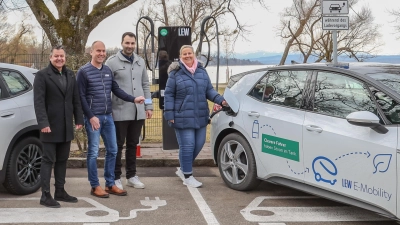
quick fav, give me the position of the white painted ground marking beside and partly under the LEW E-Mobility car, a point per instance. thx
(305, 214)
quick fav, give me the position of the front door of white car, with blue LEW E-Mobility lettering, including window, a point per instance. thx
(351, 160)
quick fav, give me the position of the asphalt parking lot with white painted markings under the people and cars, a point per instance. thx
(166, 201)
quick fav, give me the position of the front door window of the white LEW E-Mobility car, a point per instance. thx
(338, 95)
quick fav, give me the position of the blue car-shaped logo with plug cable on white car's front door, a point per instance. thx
(323, 169)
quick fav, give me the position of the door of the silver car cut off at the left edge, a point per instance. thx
(10, 117)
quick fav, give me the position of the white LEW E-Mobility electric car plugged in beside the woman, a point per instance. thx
(329, 131)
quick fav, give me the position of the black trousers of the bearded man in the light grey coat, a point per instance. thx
(130, 131)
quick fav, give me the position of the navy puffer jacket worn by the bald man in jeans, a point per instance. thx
(95, 87)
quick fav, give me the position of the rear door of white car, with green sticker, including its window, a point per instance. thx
(274, 121)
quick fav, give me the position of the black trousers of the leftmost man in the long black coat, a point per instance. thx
(57, 154)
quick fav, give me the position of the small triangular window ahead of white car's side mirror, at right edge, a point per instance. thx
(389, 106)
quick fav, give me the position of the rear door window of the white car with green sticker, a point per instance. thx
(282, 88)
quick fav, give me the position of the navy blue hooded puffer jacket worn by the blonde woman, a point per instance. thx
(185, 97)
